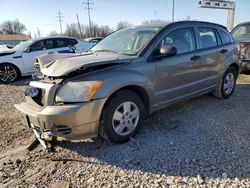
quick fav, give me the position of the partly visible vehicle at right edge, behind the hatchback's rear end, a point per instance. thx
(241, 33)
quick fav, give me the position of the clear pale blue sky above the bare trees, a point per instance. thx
(42, 13)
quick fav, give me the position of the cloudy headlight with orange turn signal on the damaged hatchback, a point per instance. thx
(78, 91)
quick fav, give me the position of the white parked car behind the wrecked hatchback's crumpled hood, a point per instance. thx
(19, 61)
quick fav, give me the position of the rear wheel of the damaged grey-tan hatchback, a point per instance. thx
(227, 85)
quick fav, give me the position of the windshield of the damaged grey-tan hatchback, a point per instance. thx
(126, 41)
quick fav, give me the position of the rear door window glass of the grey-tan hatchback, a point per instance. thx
(207, 37)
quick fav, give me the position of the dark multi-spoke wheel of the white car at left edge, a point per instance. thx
(8, 73)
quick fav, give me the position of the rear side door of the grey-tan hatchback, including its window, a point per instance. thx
(212, 54)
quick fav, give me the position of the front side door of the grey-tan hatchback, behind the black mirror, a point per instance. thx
(178, 76)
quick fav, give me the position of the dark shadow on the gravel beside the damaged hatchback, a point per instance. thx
(203, 136)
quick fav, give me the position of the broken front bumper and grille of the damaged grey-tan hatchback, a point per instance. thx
(49, 119)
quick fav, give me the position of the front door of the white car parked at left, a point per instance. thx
(36, 49)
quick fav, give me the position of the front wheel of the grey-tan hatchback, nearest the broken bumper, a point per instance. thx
(121, 116)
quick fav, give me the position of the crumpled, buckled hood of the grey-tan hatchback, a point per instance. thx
(62, 67)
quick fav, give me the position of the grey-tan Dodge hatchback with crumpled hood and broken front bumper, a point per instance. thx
(127, 76)
